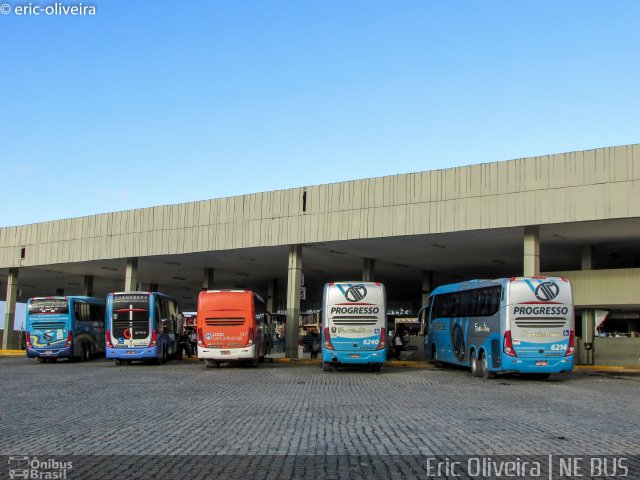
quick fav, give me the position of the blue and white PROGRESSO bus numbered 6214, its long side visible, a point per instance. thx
(509, 325)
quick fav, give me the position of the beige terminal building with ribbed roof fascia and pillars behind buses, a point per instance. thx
(575, 215)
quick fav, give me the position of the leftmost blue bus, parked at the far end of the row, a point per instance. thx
(64, 327)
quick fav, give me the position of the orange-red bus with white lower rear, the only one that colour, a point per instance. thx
(232, 326)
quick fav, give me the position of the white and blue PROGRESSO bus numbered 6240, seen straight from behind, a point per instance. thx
(354, 320)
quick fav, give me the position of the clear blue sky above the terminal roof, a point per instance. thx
(151, 103)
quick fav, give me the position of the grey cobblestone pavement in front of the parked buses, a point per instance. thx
(280, 411)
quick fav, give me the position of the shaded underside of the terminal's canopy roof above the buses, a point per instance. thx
(399, 262)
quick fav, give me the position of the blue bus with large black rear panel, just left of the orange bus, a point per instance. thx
(142, 326)
